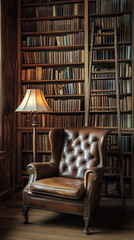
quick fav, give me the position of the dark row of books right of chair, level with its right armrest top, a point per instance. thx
(113, 162)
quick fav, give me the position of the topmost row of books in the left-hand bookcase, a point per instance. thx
(54, 10)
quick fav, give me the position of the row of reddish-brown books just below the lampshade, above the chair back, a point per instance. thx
(57, 120)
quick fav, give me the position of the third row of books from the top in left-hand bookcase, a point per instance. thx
(68, 39)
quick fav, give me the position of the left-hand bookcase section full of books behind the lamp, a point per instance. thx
(50, 57)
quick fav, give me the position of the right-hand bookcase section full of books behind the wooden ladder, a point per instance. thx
(103, 103)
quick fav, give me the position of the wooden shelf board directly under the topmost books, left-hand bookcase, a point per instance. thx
(51, 18)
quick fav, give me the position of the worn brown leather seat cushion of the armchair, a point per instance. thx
(59, 186)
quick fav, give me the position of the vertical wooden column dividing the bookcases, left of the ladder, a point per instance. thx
(86, 60)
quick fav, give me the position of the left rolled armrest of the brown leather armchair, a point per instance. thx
(41, 170)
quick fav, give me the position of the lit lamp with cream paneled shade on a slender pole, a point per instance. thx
(34, 102)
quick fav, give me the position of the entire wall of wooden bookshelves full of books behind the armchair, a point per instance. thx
(54, 54)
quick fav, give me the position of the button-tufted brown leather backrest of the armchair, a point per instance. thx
(82, 149)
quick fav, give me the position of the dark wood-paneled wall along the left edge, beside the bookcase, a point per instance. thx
(8, 79)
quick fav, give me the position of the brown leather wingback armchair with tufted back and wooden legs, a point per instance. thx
(71, 181)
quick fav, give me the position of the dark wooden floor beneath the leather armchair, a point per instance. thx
(111, 223)
